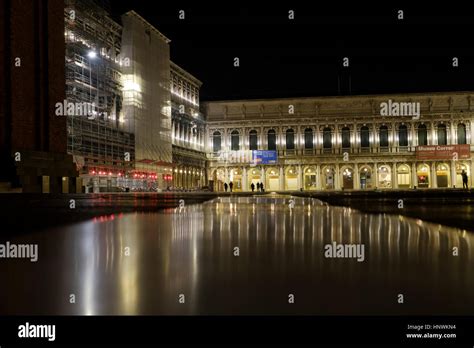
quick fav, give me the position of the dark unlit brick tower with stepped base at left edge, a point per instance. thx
(33, 31)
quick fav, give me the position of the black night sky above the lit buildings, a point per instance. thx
(303, 57)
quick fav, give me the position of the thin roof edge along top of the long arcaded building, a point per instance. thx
(336, 97)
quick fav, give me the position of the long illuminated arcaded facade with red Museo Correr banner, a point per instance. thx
(334, 143)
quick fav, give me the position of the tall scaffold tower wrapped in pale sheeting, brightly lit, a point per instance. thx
(147, 101)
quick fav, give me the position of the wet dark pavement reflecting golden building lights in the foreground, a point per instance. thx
(144, 262)
